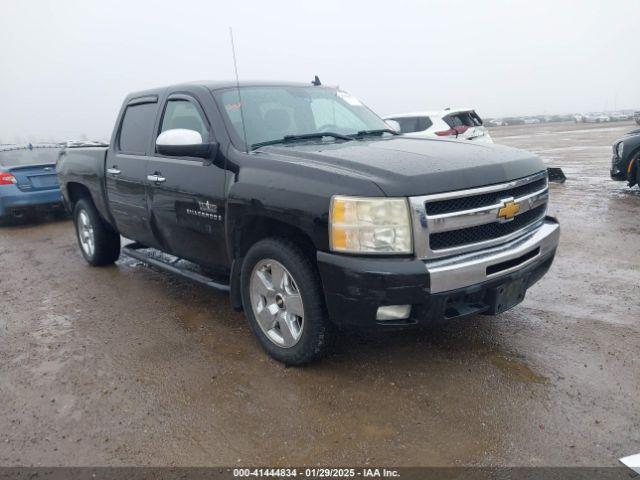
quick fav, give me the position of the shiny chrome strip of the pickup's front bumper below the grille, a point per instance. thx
(477, 267)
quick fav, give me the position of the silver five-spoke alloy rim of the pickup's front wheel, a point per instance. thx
(276, 303)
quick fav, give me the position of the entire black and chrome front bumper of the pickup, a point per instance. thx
(437, 290)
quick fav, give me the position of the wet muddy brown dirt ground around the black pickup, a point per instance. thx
(128, 365)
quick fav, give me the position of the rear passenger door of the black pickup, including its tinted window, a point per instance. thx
(126, 170)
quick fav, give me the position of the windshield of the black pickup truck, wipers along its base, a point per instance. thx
(273, 113)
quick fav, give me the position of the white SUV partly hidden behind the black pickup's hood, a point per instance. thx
(462, 123)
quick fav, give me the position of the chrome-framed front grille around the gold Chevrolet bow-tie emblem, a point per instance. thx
(467, 220)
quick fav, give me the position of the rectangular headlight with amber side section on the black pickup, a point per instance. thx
(370, 225)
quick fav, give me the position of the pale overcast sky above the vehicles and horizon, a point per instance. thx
(66, 66)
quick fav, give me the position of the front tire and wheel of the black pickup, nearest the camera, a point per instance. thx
(283, 301)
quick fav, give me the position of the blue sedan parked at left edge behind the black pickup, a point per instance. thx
(28, 180)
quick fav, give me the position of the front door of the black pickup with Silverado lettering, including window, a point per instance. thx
(186, 194)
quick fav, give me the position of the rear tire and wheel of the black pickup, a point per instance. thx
(98, 242)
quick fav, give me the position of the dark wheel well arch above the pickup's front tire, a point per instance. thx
(254, 228)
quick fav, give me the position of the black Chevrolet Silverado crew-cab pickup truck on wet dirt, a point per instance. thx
(299, 201)
